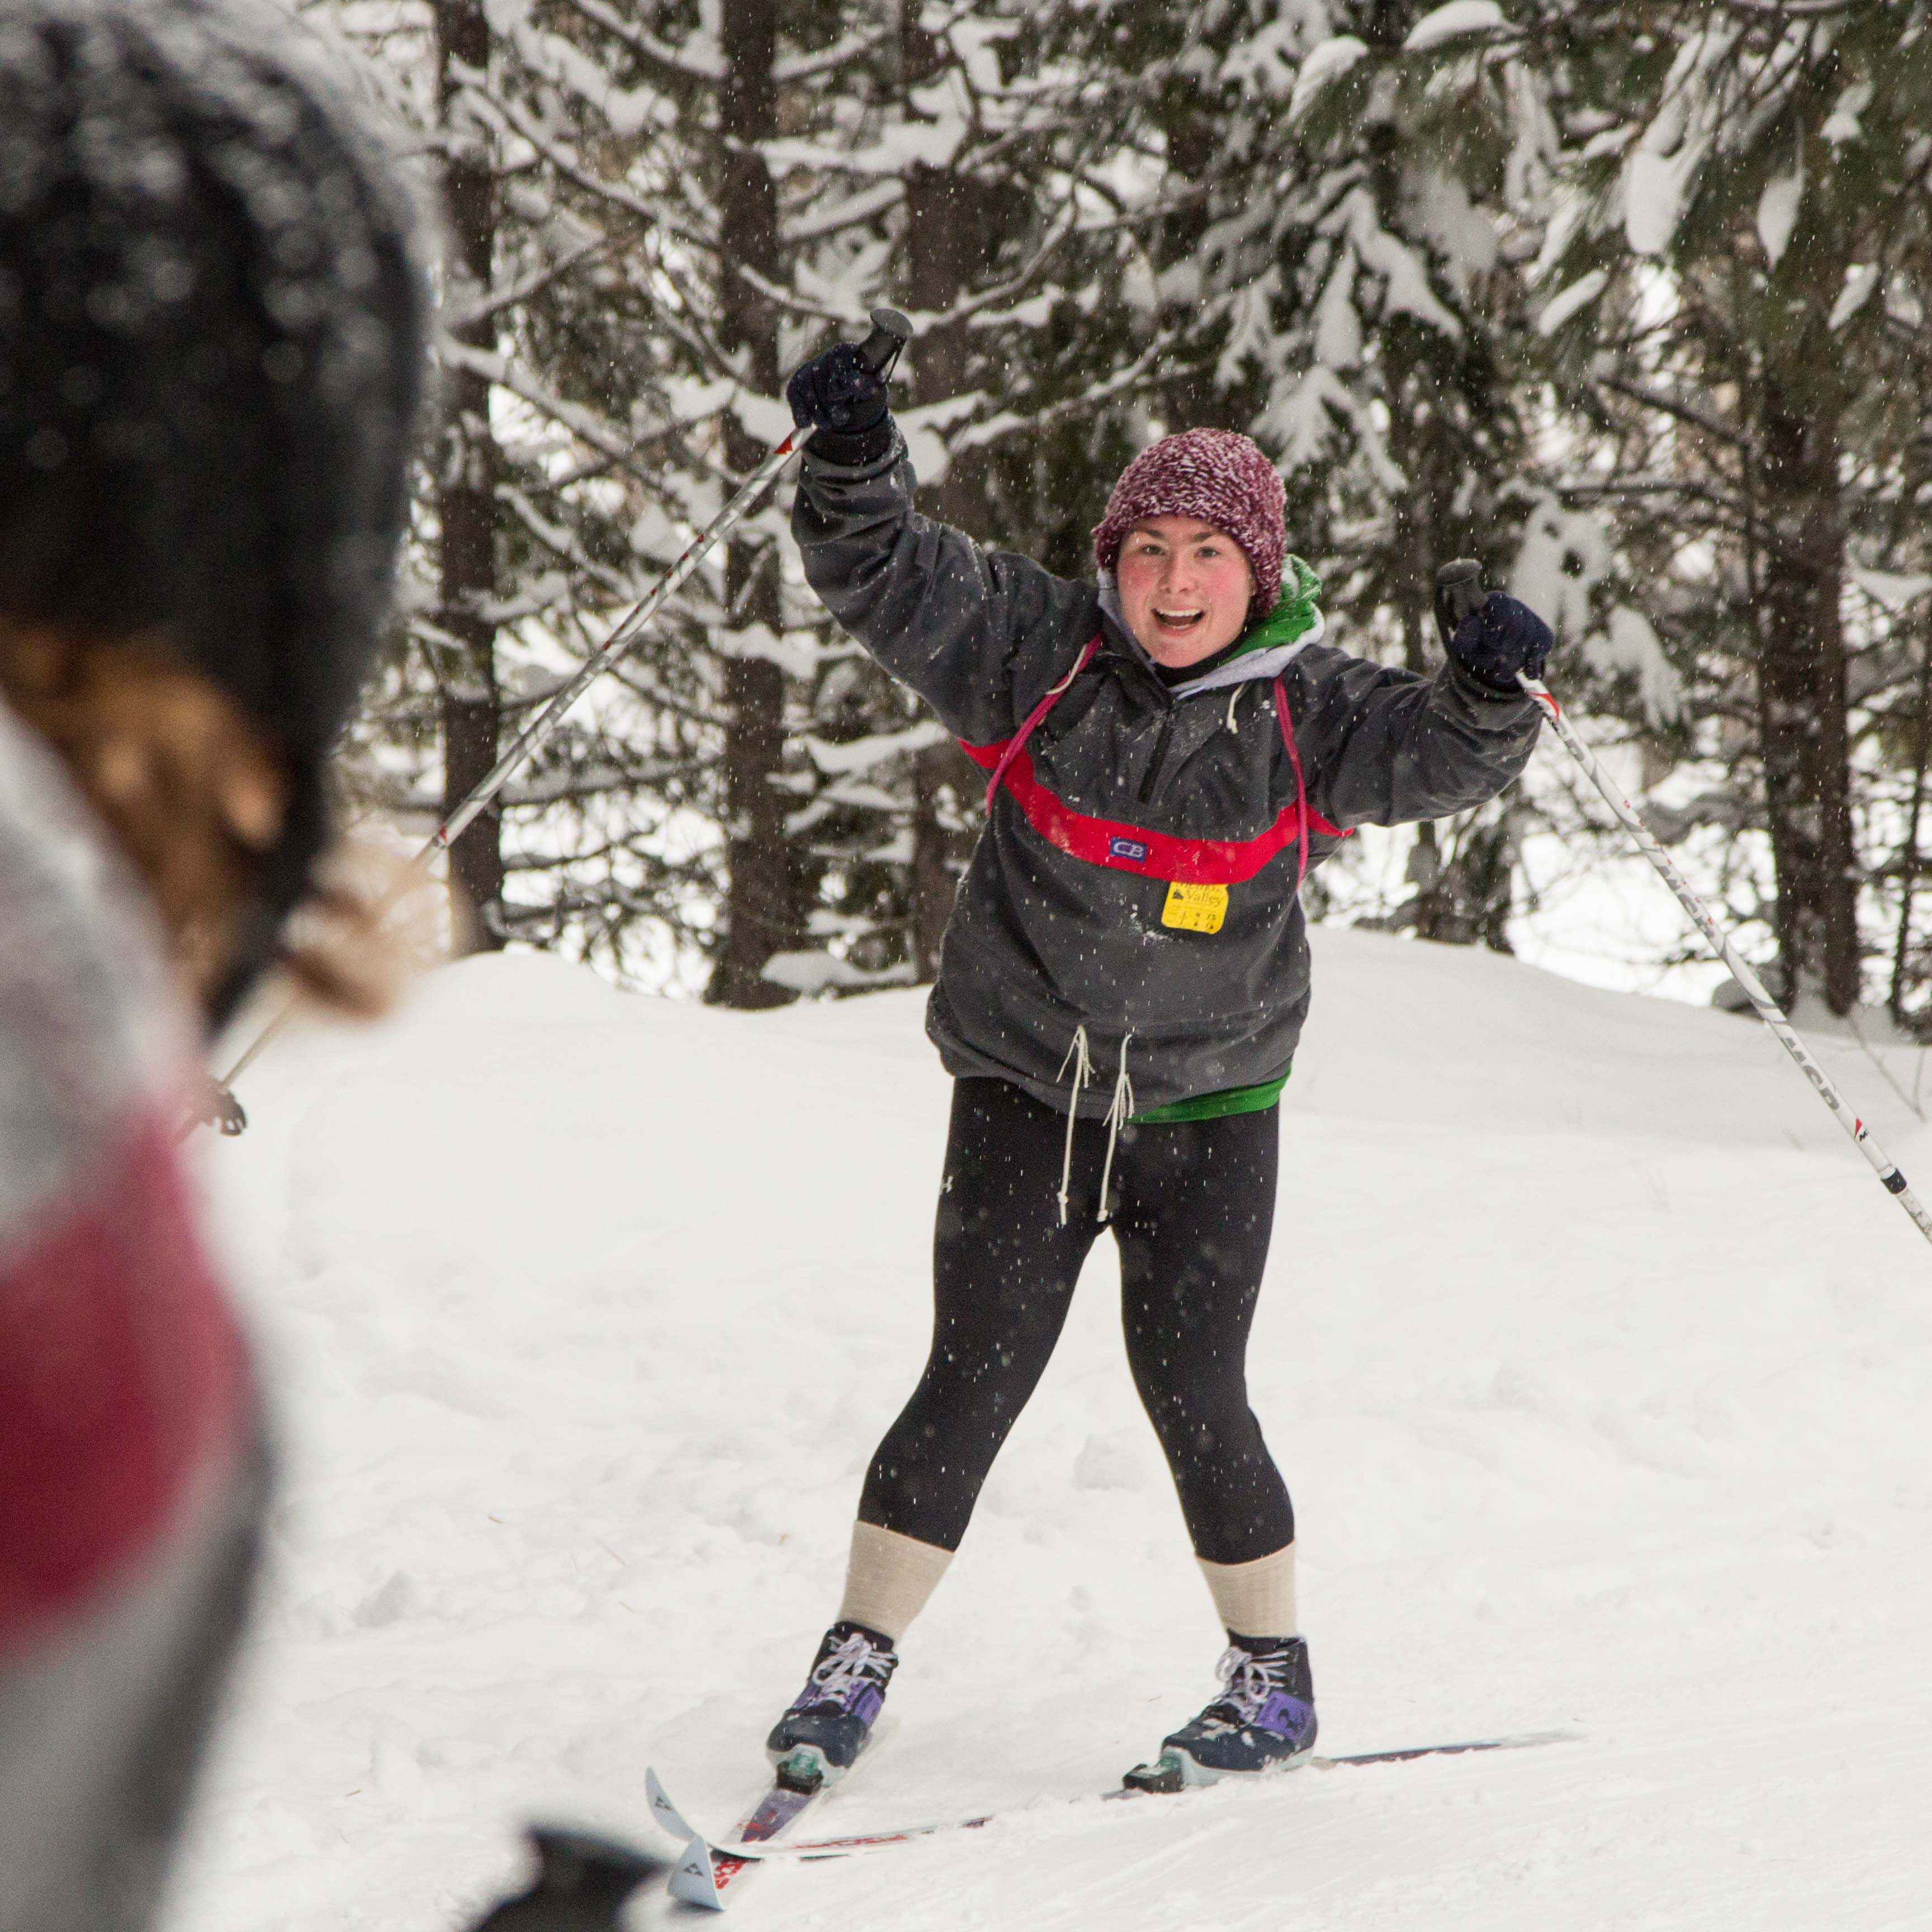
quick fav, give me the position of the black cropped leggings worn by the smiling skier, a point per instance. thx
(1193, 1212)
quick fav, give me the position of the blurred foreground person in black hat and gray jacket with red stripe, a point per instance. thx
(212, 341)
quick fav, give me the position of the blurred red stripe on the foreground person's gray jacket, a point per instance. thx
(121, 1373)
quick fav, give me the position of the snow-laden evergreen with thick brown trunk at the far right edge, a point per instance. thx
(1736, 275)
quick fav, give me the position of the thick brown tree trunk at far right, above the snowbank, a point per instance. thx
(1802, 700)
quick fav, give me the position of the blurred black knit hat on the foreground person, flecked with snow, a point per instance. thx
(212, 351)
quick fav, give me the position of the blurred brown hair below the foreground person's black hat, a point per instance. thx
(196, 797)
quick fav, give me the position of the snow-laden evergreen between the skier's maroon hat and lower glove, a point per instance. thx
(1344, 268)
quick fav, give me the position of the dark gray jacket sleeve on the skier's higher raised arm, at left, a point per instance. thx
(979, 635)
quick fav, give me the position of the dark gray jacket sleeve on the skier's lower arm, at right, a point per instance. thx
(1386, 747)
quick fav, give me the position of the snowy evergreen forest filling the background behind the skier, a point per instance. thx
(1628, 300)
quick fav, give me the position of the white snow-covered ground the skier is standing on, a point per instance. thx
(1597, 1361)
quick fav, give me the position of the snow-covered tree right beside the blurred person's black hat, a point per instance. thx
(555, 488)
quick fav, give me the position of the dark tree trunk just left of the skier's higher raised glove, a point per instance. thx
(762, 899)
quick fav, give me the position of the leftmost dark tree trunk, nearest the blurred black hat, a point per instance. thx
(467, 511)
